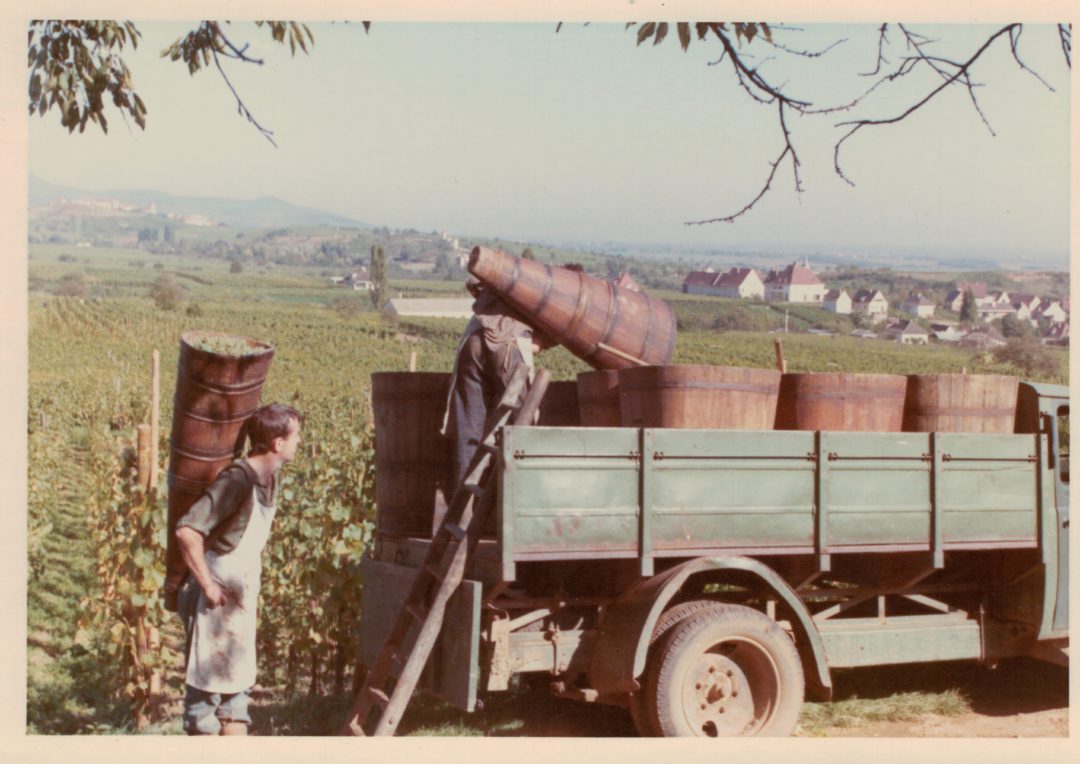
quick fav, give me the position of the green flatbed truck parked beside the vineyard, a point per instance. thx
(709, 581)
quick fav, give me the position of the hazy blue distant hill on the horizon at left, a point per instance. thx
(265, 212)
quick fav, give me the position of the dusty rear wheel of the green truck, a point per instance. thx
(727, 671)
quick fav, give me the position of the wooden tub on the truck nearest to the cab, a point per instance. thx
(961, 404)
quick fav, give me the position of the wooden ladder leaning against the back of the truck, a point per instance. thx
(441, 572)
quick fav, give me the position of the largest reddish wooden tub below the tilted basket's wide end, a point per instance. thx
(699, 397)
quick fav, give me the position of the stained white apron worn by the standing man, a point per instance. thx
(223, 641)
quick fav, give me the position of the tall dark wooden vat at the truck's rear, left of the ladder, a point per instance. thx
(412, 458)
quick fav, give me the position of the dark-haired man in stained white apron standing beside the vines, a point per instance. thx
(222, 540)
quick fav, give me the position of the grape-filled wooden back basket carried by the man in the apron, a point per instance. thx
(219, 382)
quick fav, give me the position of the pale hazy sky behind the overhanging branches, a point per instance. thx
(511, 130)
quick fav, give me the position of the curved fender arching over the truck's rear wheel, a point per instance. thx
(623, 646)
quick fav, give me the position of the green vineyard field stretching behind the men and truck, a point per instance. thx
(97, 544)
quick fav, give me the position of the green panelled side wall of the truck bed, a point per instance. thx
(597, 493)
